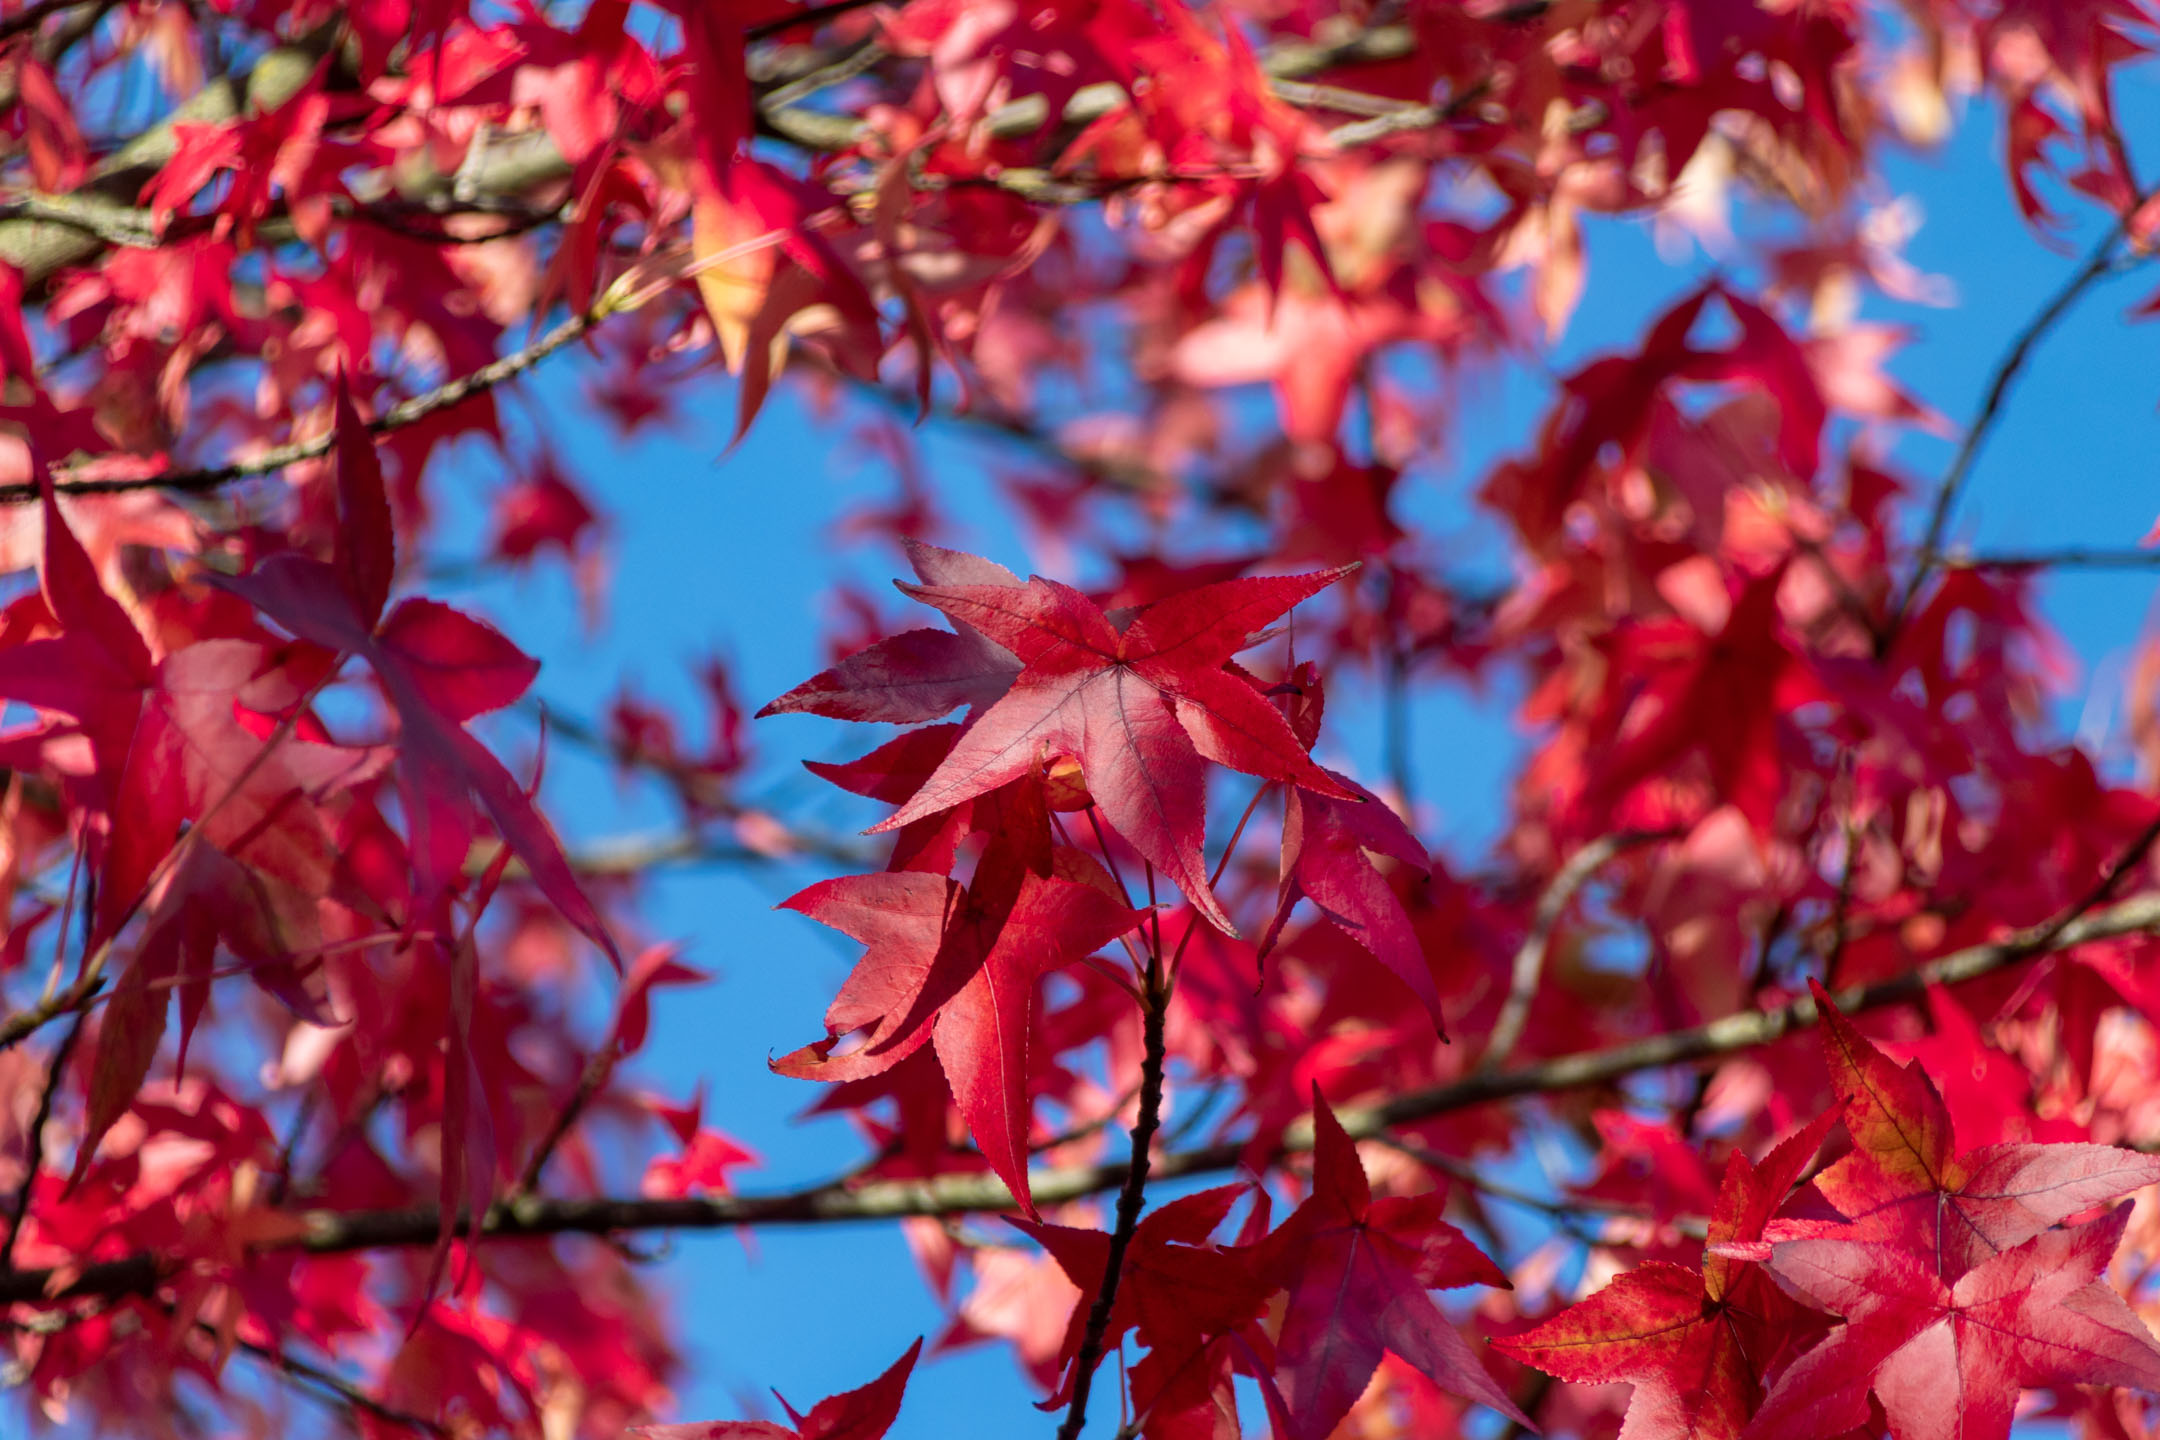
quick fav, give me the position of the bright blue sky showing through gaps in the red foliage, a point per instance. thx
(735, 554)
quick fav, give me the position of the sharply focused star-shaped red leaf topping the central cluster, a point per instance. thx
(1137, 707)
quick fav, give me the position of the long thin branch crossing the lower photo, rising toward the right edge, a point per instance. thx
(958, 1195)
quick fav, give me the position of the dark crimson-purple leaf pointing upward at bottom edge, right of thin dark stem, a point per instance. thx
(1358, 1273)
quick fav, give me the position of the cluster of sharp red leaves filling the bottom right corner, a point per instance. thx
(1956, 1277)
